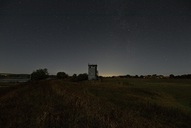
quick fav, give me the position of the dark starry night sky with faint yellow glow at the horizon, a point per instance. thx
(121, 36)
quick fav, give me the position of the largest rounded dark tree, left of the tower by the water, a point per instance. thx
(39, 74)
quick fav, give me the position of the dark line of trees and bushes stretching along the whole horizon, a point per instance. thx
(41, 74)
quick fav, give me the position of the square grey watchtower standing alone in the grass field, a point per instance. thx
(92, 72)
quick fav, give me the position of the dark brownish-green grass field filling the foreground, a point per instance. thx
(109, 103)
